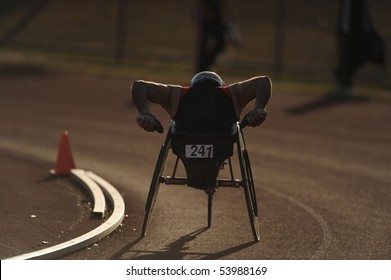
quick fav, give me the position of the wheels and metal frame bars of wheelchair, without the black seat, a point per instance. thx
(246, 181)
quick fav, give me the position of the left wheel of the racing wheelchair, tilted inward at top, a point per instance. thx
(155, 183)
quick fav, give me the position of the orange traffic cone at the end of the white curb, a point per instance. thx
(65, 160)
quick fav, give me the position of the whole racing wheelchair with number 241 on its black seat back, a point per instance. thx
(203, 153)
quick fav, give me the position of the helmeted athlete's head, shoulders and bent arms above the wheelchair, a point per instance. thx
(207, 94)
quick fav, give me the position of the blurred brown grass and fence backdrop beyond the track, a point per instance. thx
(154, 39)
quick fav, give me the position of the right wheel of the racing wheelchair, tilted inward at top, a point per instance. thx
(248, 186)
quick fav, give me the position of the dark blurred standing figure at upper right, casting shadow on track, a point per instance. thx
(357, 43)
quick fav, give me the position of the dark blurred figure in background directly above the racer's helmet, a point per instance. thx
(214, 31)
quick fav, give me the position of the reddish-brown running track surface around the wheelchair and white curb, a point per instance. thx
(321, 168)
